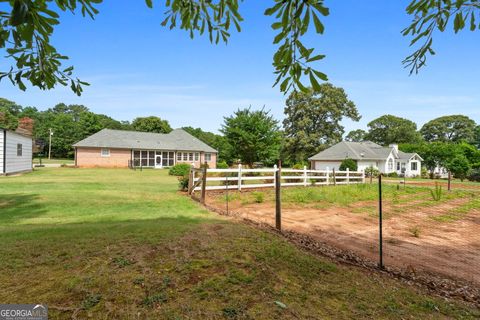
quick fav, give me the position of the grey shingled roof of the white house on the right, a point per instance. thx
(366, 150)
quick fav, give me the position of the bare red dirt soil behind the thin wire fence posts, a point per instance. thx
(450, 249)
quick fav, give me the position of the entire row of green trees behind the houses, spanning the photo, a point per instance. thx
(311, 124)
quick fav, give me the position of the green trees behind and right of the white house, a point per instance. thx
(449, 142)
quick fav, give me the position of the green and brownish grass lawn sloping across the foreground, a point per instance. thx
(122, 244)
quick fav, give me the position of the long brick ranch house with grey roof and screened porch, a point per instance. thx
(119, 148)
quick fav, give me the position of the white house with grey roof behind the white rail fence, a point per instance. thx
(368, 154)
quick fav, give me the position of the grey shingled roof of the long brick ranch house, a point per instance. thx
(178, 139)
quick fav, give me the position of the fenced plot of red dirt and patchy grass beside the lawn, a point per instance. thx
(421, 229)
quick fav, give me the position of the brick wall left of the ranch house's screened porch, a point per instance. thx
(92, 157)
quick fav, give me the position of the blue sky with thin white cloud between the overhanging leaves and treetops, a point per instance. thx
(138, 68)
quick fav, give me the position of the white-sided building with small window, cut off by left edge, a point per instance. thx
(15, 152)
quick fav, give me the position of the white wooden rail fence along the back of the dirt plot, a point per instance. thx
(241, 178)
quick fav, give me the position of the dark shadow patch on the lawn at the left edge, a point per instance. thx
(16, 207)
